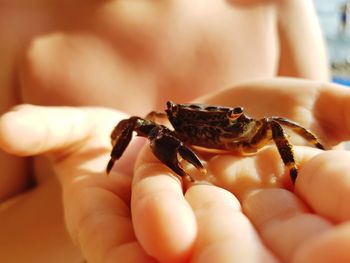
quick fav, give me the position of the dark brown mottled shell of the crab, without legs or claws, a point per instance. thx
(210, 126)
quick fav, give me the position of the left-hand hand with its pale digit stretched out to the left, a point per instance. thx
(76, 140)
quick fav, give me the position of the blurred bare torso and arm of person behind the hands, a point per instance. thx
(49, 57)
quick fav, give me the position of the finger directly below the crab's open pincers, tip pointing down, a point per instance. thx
(164, 222)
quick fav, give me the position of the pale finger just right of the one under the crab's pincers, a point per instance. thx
(224, 233)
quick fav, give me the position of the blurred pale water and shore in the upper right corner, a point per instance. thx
(336, 29)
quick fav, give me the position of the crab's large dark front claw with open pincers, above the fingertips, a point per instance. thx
(166, 147)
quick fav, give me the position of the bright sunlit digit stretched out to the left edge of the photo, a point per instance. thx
(30, 130)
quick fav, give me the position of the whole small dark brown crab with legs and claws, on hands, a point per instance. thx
(211, 127)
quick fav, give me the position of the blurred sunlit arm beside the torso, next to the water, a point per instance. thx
(302, 47)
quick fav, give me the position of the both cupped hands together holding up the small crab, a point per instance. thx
(307, 225)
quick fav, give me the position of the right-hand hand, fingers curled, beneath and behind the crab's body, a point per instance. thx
(261, 221)
